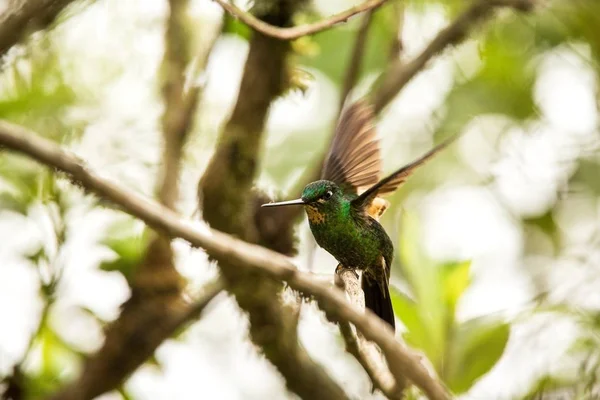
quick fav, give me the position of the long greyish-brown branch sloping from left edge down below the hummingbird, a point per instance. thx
(223, 247)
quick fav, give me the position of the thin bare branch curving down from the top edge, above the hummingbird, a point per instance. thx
(297, 31)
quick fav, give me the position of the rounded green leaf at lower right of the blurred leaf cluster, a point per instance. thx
(478, 345)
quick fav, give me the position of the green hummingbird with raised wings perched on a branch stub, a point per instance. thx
(344, 206)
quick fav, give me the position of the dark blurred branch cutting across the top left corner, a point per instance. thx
(25, 16)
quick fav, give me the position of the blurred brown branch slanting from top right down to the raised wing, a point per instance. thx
(399, 73)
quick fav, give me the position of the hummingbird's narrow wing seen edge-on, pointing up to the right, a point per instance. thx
(391, 182)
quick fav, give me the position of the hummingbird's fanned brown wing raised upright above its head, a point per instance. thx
(354, 160)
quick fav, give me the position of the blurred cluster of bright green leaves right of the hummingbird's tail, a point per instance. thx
(461, 352)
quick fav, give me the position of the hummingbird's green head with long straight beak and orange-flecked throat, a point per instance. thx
(319, 199)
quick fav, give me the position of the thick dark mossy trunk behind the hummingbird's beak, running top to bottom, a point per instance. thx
(228, 203)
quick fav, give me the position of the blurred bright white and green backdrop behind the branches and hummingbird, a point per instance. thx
(497, 264)
